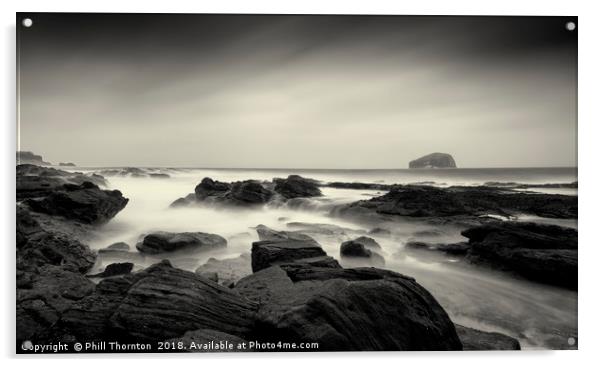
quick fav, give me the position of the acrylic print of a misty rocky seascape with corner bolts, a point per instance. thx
(248, 183)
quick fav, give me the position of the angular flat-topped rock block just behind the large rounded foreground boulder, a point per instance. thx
(279, 247)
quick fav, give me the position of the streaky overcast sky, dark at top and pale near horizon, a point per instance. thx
(297, 91)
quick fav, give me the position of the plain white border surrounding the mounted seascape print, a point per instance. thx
(590, 120)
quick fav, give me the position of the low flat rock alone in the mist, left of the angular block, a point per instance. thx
(160, 242)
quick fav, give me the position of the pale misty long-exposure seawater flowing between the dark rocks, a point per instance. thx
(540, 316)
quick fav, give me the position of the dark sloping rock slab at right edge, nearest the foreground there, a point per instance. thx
(545, 253)
